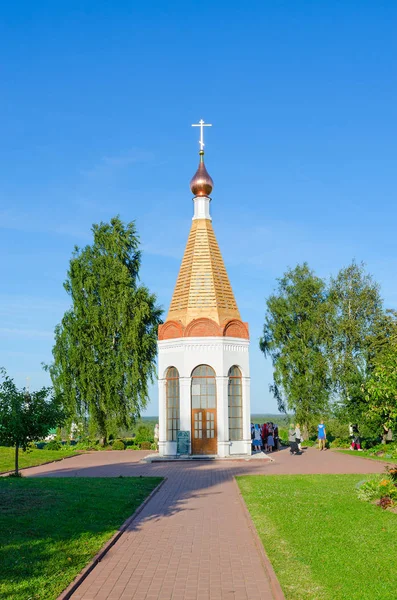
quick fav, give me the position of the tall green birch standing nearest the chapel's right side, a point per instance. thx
(295, 336)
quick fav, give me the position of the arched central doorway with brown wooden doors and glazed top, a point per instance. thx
(204, 424)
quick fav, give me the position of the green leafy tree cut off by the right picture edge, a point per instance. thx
(381, 386)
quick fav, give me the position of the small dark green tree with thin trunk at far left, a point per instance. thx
(26, 416)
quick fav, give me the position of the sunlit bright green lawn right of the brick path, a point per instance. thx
(324, 543)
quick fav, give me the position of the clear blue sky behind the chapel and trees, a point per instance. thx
(96, 103)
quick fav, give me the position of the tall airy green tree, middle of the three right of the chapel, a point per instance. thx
(357, 310)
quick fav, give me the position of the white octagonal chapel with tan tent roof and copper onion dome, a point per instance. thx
(203, 358)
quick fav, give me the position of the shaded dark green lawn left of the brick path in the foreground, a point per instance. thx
(52, 527)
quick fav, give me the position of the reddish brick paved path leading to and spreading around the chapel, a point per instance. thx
(192, 540)
